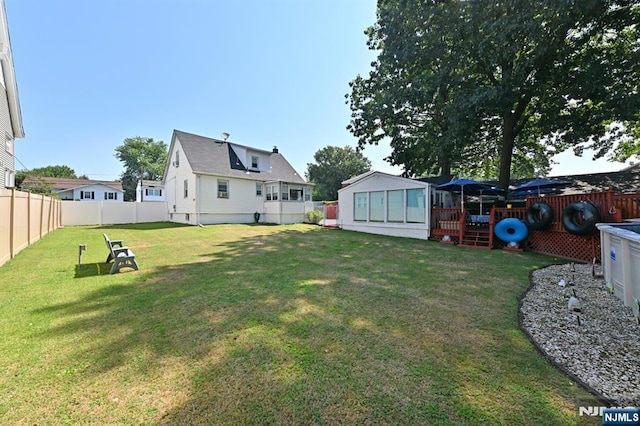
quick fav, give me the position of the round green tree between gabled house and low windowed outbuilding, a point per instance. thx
(333, 166)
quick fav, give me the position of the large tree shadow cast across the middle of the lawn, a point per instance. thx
(304, 328)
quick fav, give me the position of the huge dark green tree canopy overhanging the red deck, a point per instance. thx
(497, 88)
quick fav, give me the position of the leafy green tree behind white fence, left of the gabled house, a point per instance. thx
(143, 158)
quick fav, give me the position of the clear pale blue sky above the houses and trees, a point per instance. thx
(92, 73)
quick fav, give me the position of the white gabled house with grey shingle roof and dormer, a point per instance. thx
(210, 181)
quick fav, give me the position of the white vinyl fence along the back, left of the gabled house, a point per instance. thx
(111, 213)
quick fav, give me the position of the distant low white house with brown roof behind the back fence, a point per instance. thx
(77, 189)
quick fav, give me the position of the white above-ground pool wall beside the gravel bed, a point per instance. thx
(620, 253)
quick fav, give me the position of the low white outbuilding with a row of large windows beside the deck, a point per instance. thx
(380, 203)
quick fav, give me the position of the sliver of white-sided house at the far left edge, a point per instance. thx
(10, 115)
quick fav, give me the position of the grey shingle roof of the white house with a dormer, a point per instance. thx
(214, 156)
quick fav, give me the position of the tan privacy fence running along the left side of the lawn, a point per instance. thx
(24, 219)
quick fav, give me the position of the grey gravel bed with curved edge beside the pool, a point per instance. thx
(599, 345)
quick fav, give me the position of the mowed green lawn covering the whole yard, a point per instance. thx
(252, 324)
